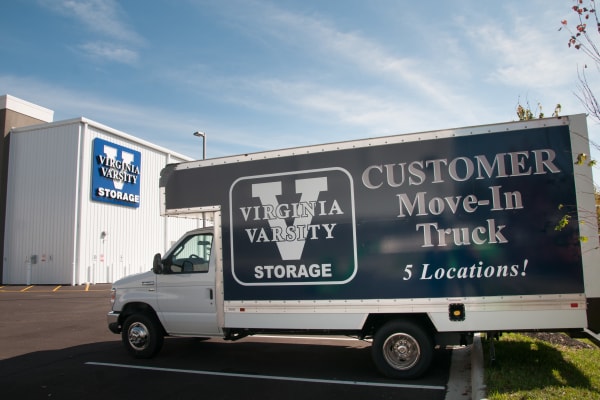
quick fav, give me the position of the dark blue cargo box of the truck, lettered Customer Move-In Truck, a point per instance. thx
(461, 216)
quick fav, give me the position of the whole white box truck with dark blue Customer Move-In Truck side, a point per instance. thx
(410, 241)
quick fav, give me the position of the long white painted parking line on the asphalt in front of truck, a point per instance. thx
(270, 377)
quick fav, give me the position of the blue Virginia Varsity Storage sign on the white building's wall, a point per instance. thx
(116, 174)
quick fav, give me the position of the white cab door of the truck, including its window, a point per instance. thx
(186, 288)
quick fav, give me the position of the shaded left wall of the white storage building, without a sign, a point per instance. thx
(40, 202)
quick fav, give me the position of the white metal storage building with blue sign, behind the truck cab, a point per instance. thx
(82, 204)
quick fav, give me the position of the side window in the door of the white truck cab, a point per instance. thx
(191, 255)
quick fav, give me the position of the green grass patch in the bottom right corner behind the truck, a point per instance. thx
(532, 369)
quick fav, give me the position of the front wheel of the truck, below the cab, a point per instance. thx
(142, 335)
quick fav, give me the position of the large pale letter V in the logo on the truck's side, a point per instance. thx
(309, 190)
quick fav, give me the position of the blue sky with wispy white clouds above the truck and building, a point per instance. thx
(258, 74)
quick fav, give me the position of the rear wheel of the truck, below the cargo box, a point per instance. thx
(402, 350)
